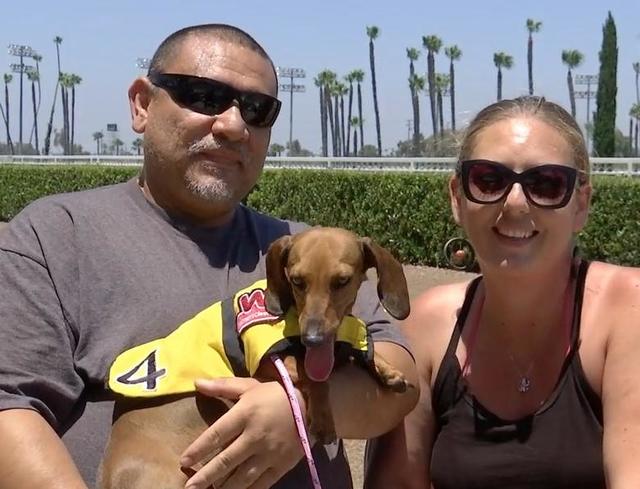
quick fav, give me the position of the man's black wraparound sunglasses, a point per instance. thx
(211, 97)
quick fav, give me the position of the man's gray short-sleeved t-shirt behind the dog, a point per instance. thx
(87, 275)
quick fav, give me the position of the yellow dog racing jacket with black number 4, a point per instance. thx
(228, 338)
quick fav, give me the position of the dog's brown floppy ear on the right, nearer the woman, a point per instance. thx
(392, 284)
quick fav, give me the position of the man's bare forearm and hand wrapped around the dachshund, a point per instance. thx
(258, 438)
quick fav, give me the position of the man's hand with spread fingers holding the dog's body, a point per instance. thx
(255, 443)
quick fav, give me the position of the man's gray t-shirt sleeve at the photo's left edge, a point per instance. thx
(37, 342)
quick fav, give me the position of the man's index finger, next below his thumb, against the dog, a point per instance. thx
(220, 434)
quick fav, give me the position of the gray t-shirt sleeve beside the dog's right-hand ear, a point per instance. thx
(381, 326)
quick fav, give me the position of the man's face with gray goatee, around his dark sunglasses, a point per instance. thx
(197, 165)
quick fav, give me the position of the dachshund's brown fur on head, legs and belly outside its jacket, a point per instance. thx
(319, 272)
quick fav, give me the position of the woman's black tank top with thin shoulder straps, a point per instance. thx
(560, 446)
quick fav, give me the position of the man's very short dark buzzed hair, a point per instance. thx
(224, 32)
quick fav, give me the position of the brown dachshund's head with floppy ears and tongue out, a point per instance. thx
(320, 271)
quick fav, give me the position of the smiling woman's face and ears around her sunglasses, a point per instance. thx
(513, 233)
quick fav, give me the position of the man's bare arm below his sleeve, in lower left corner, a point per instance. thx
(33, 456)
